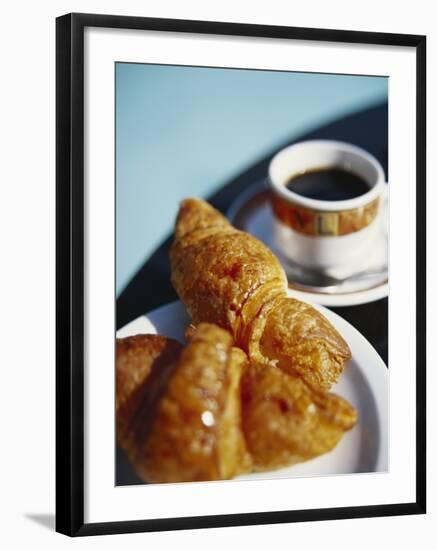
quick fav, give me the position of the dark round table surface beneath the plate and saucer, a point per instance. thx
(151, 287)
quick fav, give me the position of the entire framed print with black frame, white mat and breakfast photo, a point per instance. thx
(240, 274)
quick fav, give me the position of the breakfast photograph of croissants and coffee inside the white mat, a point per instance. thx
(251, 228)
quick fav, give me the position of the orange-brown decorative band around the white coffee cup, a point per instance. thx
(324, 224)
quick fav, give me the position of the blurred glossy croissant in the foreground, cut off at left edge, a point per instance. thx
(204, 413)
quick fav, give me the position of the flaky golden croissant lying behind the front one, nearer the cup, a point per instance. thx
(228, 277)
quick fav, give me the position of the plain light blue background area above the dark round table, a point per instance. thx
(186, 131)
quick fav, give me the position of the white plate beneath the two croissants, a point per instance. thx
(364, 384)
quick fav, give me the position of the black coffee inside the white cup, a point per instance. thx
(328, 184)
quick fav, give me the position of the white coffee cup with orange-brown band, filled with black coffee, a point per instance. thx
(326, 197)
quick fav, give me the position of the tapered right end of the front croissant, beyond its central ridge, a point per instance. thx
(286, 422)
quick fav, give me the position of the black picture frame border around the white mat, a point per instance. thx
(70, 273)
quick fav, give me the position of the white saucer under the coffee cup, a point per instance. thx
(251, 212)
